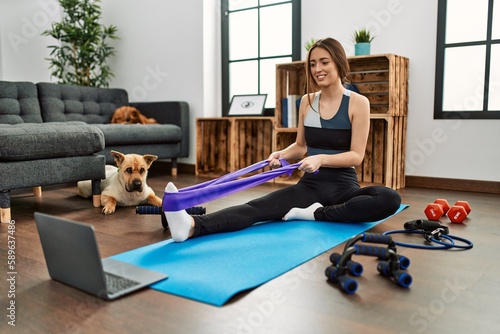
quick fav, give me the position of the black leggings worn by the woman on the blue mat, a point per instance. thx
(337, 189)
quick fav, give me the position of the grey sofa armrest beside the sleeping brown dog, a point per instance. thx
(169, 112)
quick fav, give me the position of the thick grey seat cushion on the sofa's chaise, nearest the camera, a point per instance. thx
(30, 141)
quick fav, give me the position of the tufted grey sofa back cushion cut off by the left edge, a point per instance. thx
(19, 103)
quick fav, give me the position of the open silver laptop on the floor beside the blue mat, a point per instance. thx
(72, 257)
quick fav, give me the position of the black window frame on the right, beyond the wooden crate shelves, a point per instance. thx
(441, 47)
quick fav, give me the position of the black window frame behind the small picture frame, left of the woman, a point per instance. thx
(295, 55)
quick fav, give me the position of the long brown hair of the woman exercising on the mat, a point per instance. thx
(336, 51)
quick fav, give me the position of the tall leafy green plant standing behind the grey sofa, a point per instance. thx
(81, 56)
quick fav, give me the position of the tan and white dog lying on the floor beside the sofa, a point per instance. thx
(125, 185)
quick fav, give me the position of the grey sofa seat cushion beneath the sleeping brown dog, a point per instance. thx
(126, 134)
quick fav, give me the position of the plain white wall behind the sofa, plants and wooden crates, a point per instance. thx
(170, 50)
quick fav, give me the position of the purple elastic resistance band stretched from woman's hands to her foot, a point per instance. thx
(223, 186)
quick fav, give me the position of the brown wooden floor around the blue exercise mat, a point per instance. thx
(452, 291)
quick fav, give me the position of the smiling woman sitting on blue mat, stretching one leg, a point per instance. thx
(332, 131)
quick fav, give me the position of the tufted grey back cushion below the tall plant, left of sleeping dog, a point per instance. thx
(62, 103)
